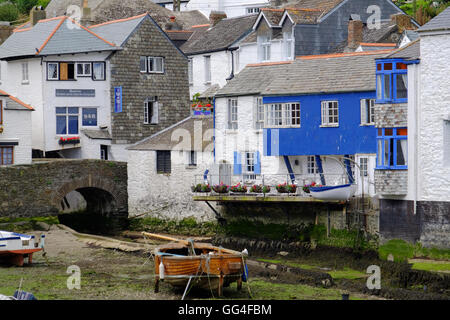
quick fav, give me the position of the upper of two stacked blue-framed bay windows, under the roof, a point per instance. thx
(391, 81)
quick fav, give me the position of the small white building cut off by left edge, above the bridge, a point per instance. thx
(15, 130)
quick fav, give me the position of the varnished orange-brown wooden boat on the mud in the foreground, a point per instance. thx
(184, 263)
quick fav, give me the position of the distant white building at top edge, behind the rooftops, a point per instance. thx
(232, 8)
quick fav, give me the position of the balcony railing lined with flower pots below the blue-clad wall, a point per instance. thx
(270, 180)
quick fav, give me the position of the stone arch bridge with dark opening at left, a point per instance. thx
(40, 189)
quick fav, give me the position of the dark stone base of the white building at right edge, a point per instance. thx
(435, 223)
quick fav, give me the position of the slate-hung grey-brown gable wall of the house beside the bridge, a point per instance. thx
(171, 88)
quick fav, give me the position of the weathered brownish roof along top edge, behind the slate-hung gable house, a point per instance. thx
(107, 10)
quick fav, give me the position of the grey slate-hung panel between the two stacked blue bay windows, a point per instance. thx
(391, 115)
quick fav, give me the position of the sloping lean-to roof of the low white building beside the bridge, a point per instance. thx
(163, 139)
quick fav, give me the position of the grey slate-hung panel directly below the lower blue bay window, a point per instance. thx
(391, 182)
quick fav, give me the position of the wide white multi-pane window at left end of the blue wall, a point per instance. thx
(279, 115)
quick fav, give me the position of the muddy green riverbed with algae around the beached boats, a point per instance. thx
(107, 273)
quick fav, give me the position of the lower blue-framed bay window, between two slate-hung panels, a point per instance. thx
(392, 148)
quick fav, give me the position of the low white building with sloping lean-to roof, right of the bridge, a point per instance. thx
(163, 168)
